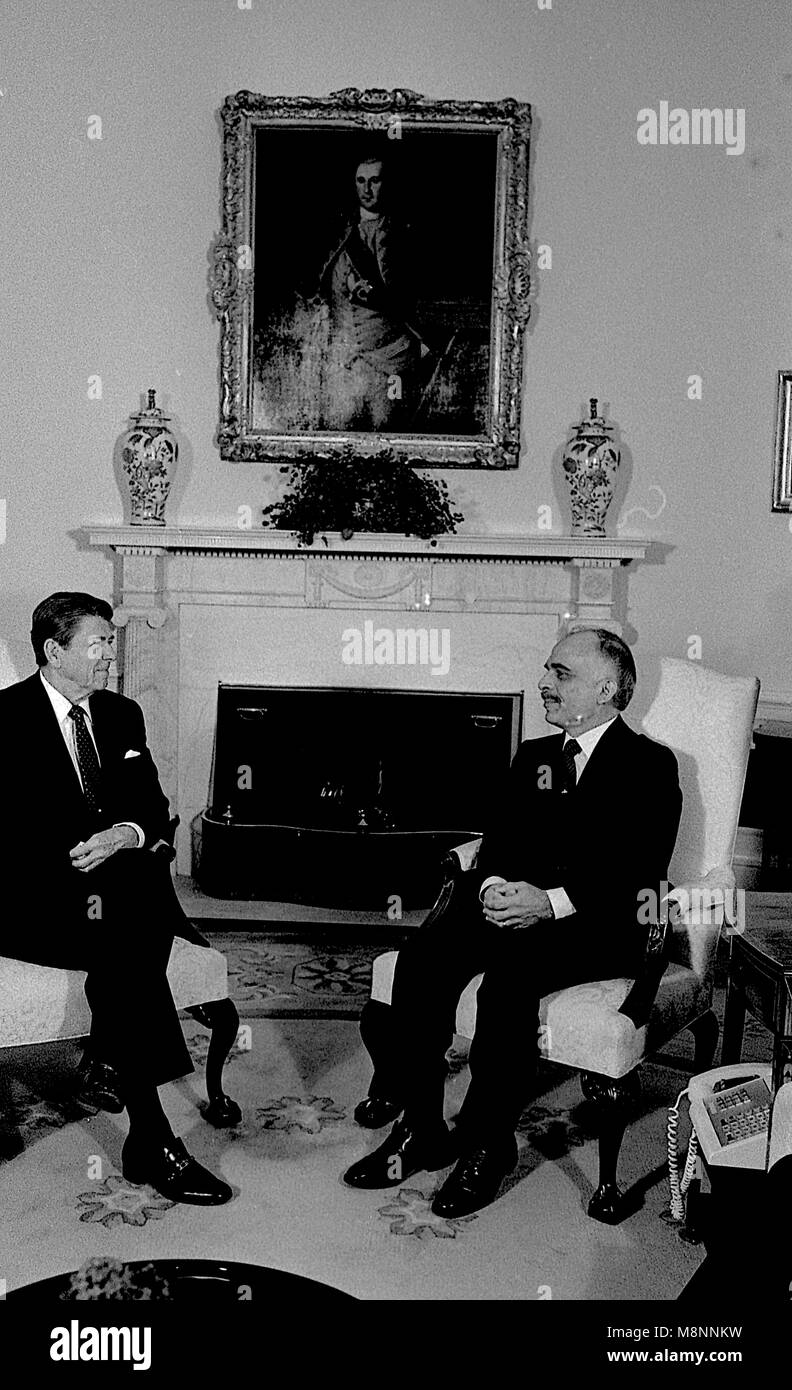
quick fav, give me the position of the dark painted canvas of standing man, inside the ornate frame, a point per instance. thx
(373, 291)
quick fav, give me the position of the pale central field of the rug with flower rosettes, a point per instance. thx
(298, 1081)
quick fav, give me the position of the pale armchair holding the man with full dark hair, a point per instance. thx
(44, 1004)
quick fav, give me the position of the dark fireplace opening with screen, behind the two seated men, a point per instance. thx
(340, 797)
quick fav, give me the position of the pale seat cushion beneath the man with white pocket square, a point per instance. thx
(42, 1004)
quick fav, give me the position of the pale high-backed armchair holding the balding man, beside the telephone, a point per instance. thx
(608, 1028)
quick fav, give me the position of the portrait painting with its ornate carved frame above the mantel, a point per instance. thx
(373, 279)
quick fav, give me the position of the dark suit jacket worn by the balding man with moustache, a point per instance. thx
(607, 840)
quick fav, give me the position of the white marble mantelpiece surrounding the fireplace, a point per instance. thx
(202, 605)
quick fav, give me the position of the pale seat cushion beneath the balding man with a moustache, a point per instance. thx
(581, 1027)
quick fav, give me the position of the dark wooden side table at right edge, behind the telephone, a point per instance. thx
(761, 979)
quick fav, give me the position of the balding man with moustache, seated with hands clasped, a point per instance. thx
(586, 826)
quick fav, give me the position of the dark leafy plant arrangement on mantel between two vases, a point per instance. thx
(354, 494)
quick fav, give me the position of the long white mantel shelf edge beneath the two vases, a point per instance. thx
(236, 541)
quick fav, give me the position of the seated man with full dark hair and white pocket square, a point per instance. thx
(81, 810)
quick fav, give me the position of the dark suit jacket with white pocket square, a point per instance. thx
(44, 812)
